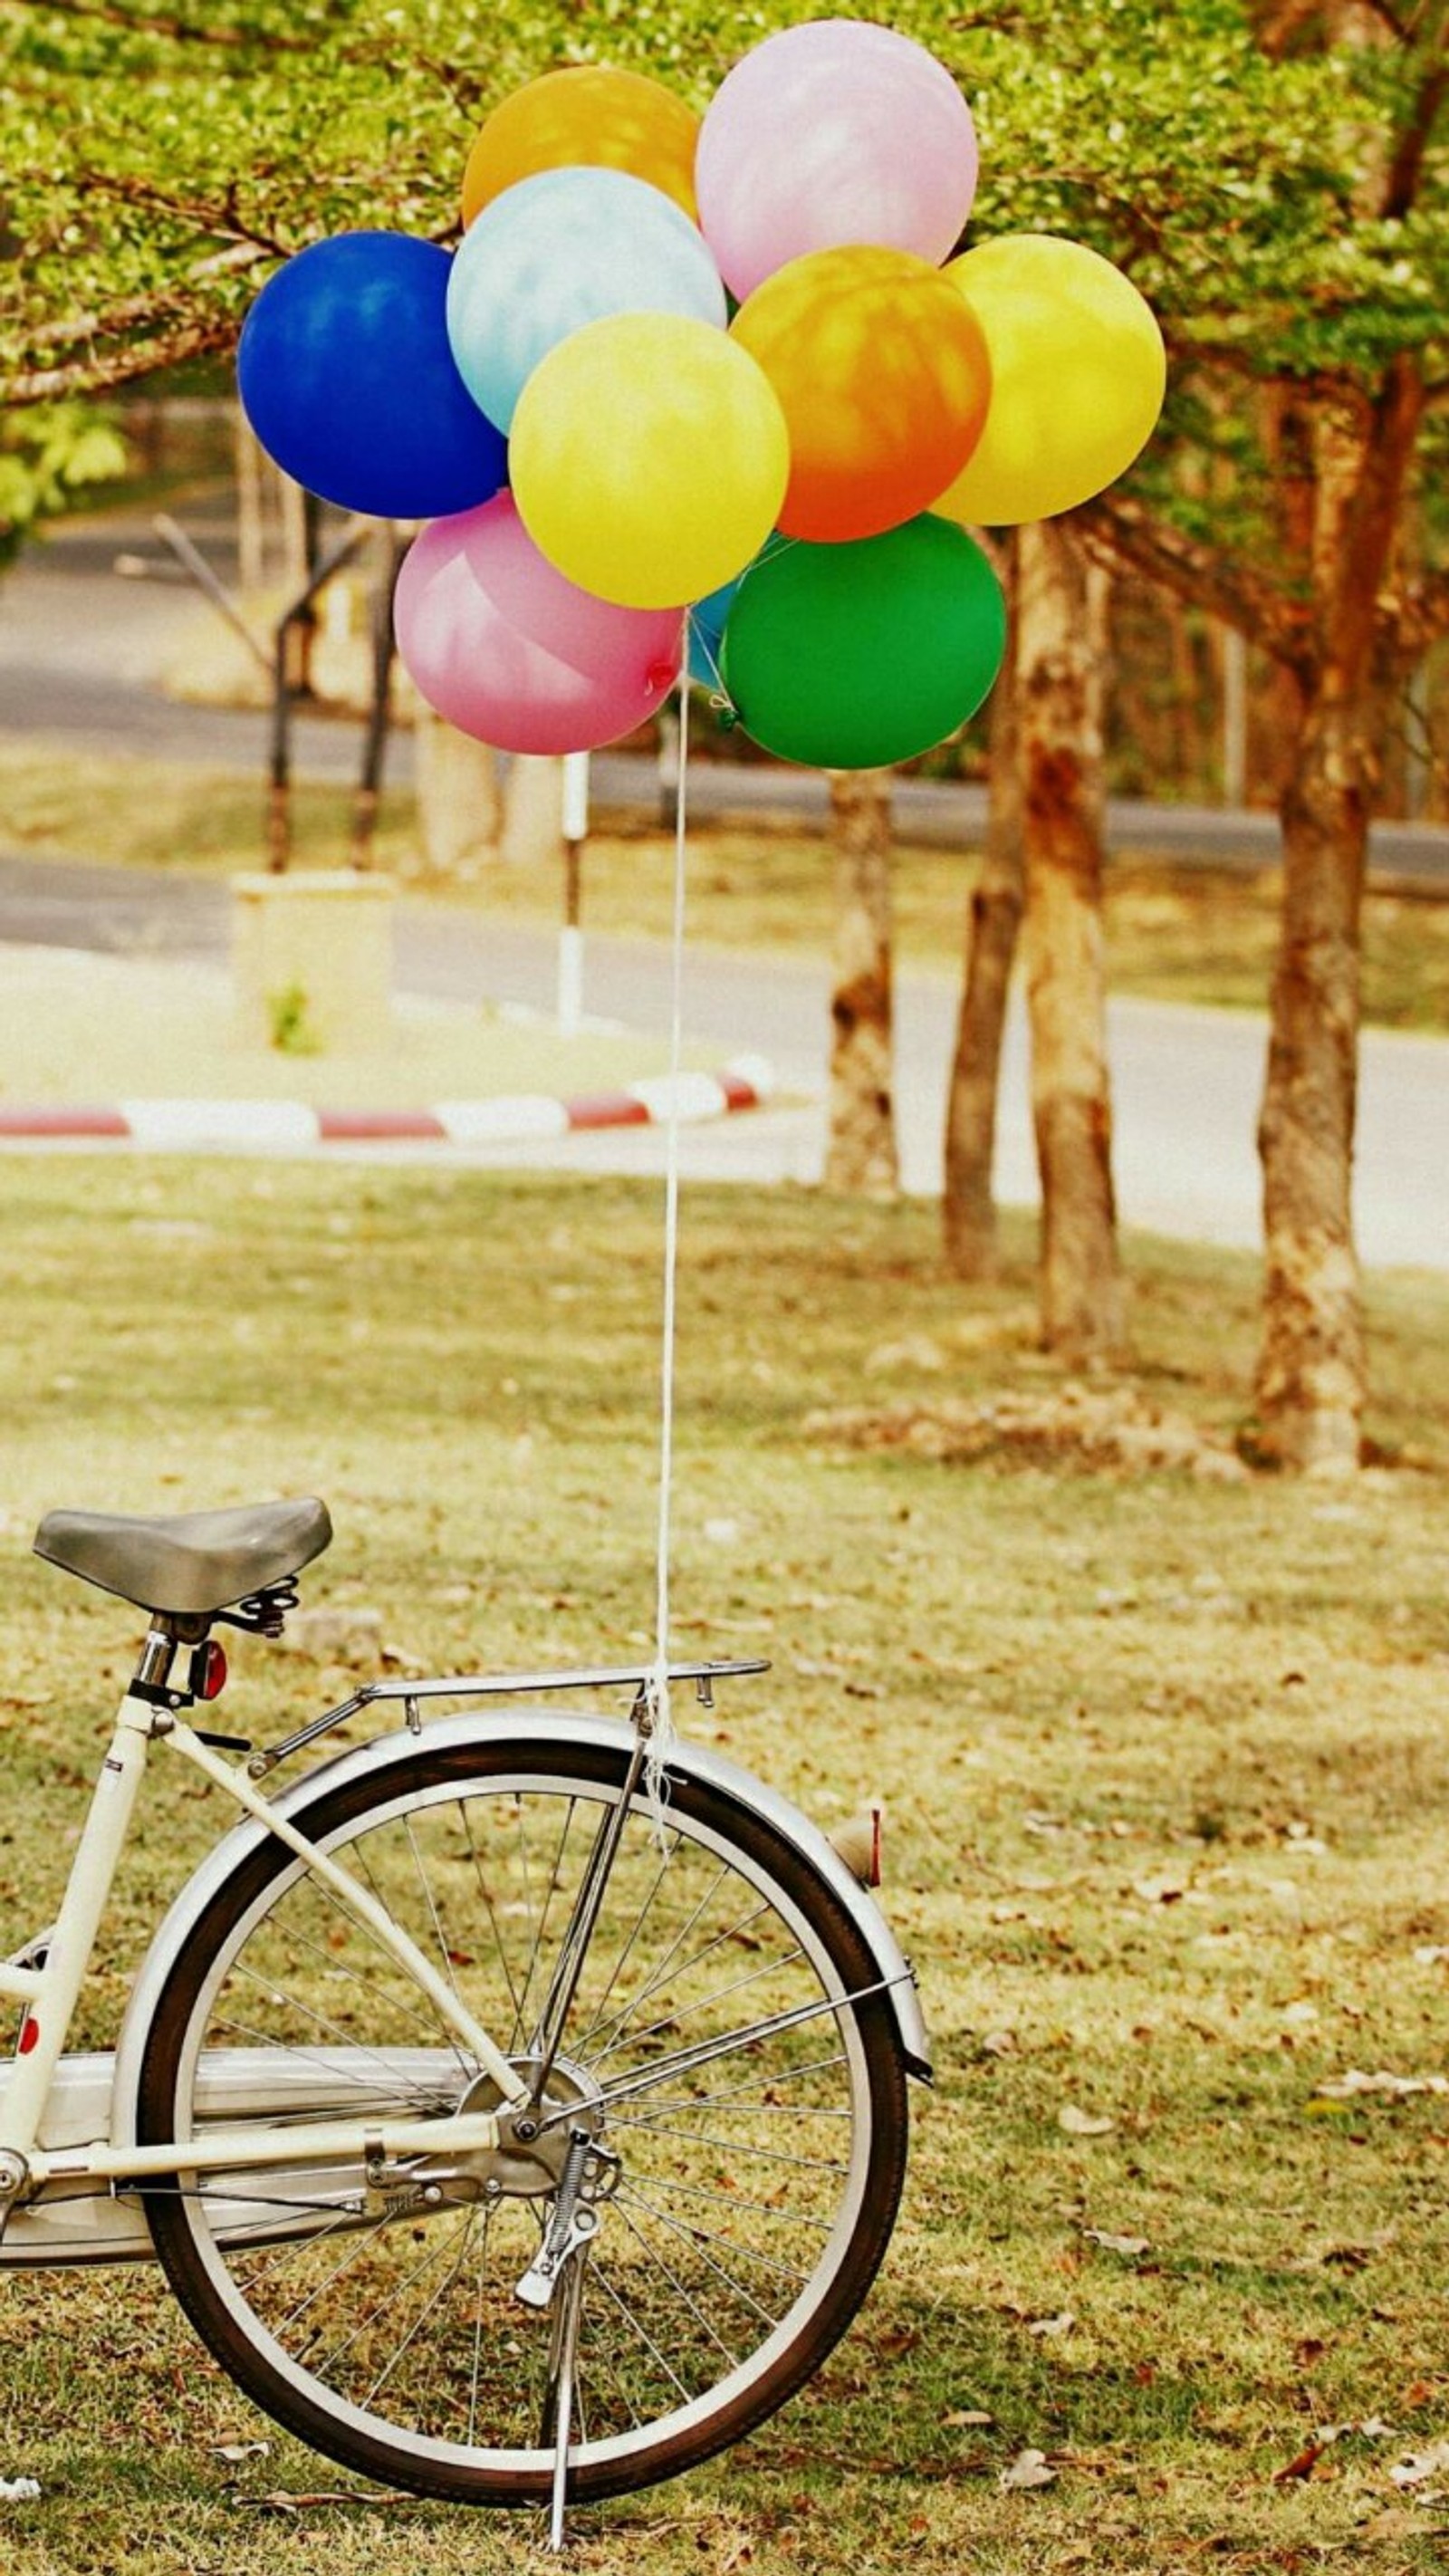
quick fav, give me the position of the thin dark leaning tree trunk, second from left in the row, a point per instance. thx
(992, 923)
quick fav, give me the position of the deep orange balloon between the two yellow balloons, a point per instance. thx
(884, 380)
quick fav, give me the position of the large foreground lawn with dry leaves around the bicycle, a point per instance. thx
(1167, 1789)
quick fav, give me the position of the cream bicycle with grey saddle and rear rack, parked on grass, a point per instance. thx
(516, 2121)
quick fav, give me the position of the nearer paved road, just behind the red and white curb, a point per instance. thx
(1185, 1081)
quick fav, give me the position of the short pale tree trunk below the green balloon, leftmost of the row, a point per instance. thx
(861, 1153)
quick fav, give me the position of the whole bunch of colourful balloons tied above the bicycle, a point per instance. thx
(717, 393)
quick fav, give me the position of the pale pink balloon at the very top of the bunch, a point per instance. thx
(825, 135)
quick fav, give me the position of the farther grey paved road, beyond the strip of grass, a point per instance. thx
(81, 650)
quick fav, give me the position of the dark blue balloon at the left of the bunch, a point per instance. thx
(351, 388)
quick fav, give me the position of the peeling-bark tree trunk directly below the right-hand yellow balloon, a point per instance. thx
(1059, 666)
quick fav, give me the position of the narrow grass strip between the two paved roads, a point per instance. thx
(1172, 934)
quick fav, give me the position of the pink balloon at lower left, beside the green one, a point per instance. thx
(513, 653)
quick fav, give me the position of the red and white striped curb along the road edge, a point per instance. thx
(179, 1127)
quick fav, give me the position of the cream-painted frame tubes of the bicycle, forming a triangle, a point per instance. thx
(50, 1995)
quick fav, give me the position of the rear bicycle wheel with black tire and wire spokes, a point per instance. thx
(722, 2271)
